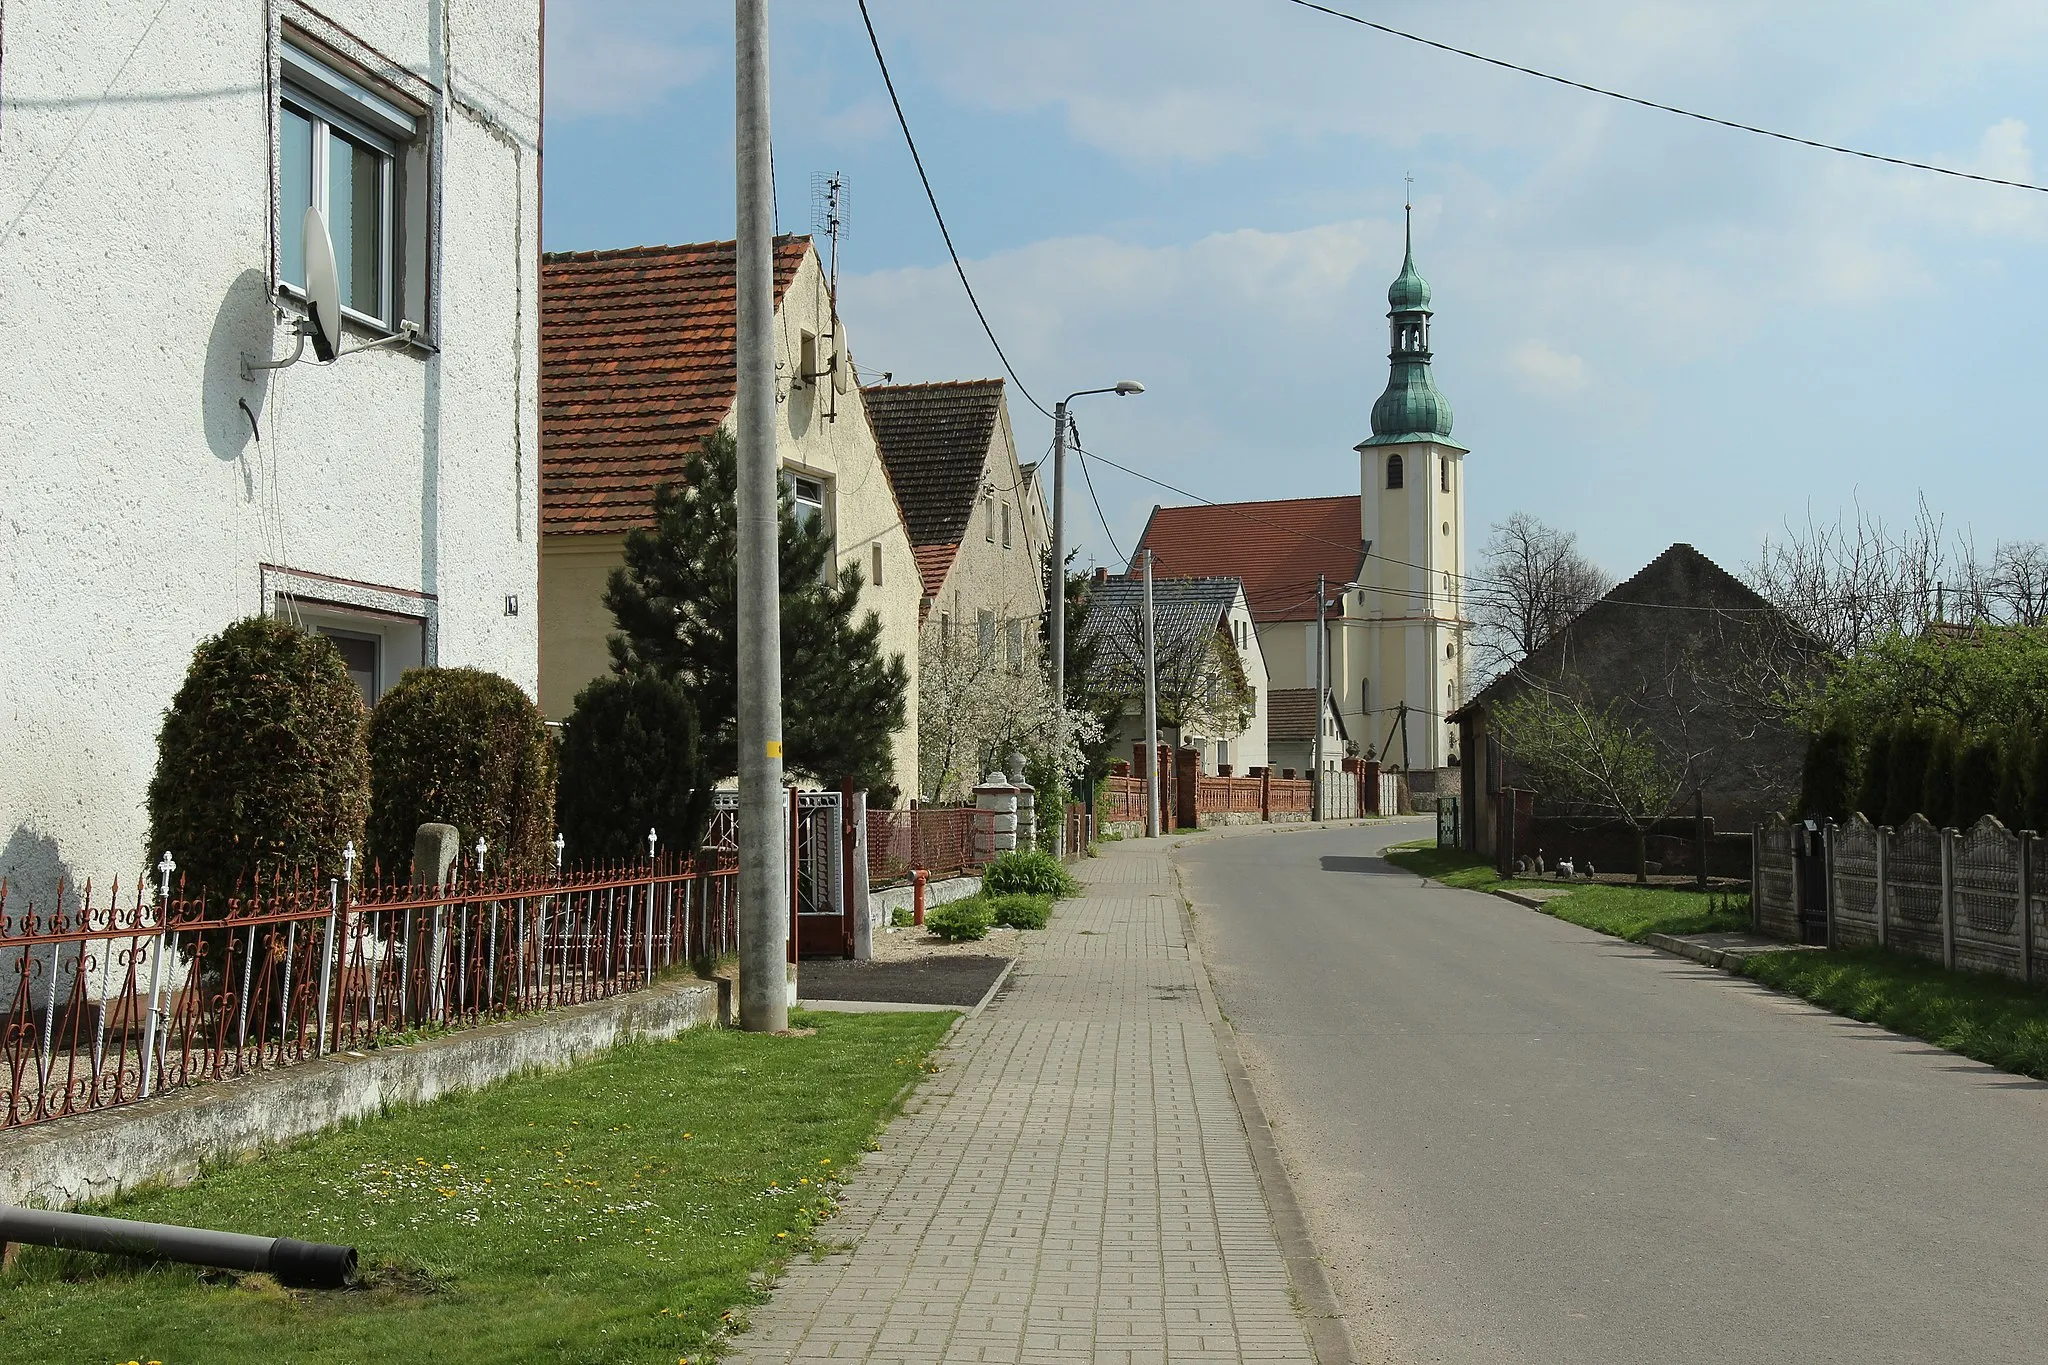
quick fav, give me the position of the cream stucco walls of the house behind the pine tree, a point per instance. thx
(824, 435)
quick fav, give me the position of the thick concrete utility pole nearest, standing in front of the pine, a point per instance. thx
(765, 924)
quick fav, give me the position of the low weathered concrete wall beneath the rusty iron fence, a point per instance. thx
(171, 1137)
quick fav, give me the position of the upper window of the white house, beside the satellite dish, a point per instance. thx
(345, 150)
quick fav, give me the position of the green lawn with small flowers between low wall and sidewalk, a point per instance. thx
(611, 1213)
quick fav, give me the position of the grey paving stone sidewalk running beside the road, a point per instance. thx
(1072, 1186)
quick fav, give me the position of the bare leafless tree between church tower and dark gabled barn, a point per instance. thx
(1533, 580)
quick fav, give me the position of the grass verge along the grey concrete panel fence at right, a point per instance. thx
(1988, 1018)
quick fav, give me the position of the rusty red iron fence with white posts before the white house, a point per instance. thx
(112, 1002)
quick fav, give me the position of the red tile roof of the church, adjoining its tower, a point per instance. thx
(1275, 547)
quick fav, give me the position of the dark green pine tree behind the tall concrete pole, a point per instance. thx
(677, 603)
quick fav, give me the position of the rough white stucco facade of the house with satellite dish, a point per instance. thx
(153, 492)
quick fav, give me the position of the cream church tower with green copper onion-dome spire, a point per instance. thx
(1408, 625)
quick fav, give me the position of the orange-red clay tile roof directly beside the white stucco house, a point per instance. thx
(638, 365)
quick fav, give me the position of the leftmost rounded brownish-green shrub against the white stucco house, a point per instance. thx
(259, 766)
